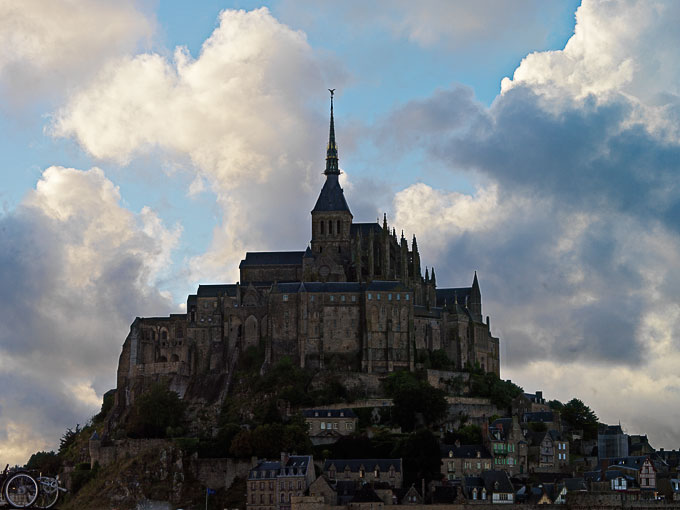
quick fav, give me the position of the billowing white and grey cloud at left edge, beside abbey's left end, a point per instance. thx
(75, 267)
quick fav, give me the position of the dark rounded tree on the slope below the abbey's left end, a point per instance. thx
(154, 412)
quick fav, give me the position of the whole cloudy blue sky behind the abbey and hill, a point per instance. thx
(146, 146)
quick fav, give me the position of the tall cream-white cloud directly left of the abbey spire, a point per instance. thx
(240, 112)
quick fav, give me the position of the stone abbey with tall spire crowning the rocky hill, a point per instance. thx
(354, 300)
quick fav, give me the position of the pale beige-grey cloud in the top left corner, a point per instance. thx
(49, 47)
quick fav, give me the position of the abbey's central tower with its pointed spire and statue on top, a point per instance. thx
(331, 217)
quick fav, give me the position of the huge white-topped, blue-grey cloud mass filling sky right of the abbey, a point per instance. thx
(574, 225)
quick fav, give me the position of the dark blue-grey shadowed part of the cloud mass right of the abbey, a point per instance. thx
(585, 162)
